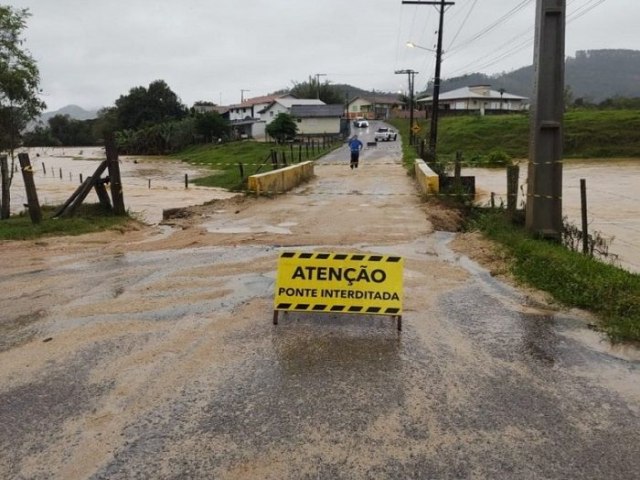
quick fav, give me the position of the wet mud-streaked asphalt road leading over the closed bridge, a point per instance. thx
(145, 362)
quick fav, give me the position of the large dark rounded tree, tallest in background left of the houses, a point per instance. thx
(144, 107)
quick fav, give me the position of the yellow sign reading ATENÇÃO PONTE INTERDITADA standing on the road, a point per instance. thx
(339, 283)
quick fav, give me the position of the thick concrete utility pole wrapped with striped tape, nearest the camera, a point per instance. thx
(544, 188)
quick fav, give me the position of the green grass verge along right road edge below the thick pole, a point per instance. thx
(573, 279)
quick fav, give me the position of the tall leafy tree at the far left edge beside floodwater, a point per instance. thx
(19, 89)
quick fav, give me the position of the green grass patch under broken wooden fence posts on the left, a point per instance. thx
(88, 219)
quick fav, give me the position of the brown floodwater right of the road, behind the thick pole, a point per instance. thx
(613, 200)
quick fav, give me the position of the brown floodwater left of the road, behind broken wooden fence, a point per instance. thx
(150, 184)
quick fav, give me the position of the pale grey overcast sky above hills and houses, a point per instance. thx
(90, 52)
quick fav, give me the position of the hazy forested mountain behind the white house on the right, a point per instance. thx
(593, 75)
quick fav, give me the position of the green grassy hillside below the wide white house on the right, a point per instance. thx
(588, 133)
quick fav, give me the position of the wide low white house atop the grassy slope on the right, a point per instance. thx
(478, 99)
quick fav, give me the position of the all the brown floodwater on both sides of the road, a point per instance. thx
(152, 184)
